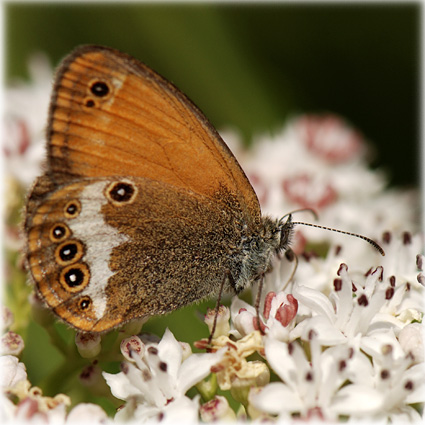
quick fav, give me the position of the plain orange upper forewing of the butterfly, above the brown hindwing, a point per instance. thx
(144, 127)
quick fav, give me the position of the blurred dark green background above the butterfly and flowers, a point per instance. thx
(250, 66)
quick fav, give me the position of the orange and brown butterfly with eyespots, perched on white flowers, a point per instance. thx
(143, 208)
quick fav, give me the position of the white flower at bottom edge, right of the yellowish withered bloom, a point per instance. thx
(310, 388)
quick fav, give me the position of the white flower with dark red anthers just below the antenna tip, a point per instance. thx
(356, 305)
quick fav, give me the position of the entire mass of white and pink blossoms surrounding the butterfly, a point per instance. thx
(339, 339)
